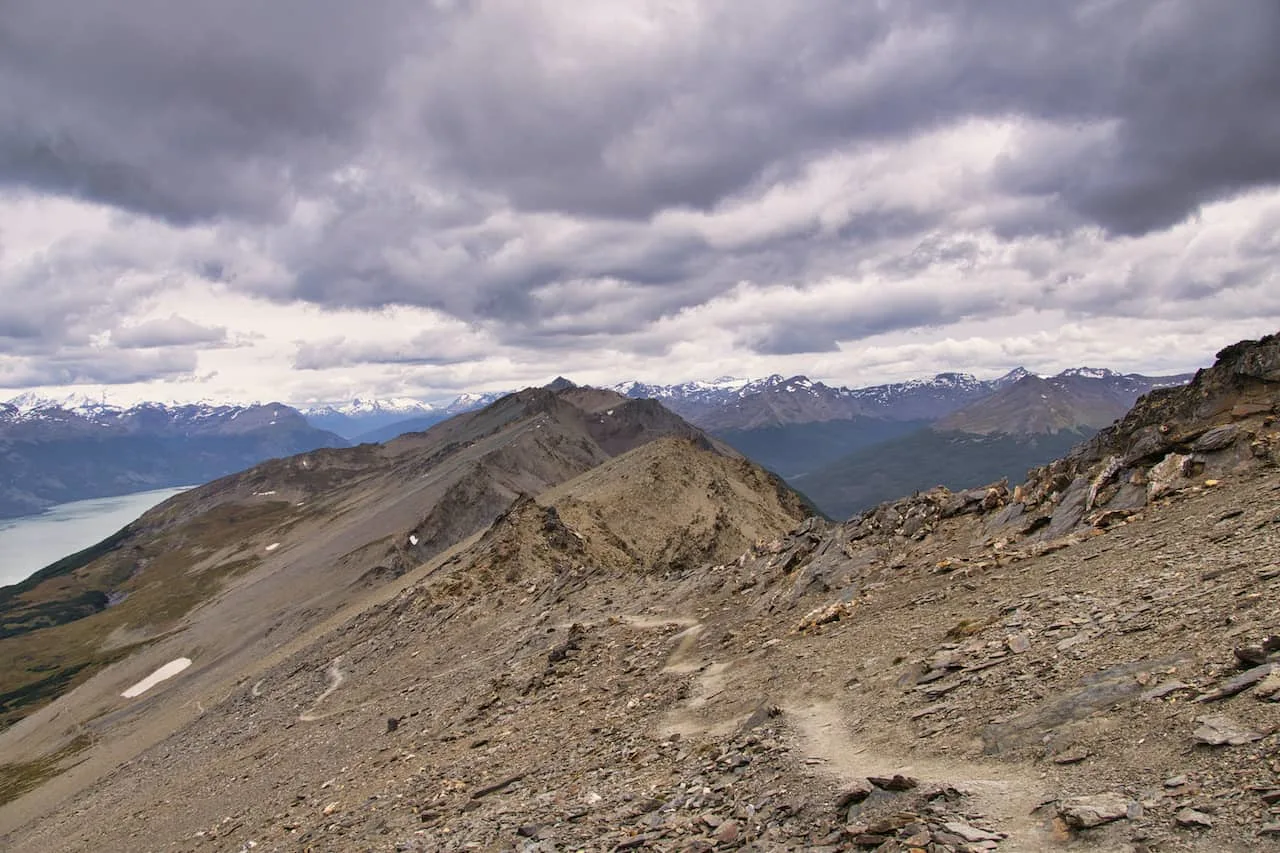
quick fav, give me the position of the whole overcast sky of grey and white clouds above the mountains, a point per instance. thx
(313, 200)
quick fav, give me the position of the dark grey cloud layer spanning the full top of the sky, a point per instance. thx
(207, 110)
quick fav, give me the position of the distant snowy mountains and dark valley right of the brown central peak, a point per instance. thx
(849, 449)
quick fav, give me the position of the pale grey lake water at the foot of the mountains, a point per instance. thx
(33, 542)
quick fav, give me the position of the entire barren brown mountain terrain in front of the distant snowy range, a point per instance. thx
(573, 621)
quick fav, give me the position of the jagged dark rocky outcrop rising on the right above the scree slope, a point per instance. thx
(1174, 439)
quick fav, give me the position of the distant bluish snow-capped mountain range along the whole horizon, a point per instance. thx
(845, 448)
